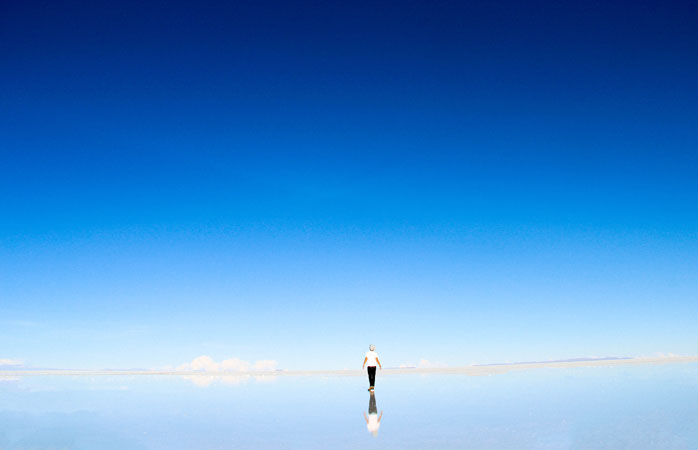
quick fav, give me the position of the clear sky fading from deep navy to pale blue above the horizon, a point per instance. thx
(454, 181)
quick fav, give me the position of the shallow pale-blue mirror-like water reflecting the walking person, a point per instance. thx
(638, 407)
